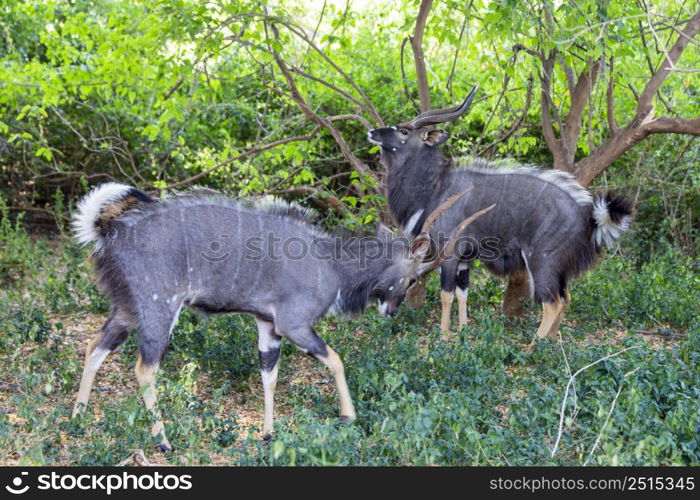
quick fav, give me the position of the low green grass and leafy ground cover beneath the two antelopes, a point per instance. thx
(479, 400)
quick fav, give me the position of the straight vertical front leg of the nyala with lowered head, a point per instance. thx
(269, 352)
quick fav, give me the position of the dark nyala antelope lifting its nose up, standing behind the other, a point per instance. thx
(546, 226)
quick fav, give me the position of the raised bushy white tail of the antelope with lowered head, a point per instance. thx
(104, 203)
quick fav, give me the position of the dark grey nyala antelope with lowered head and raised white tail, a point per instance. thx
(215, 255)
